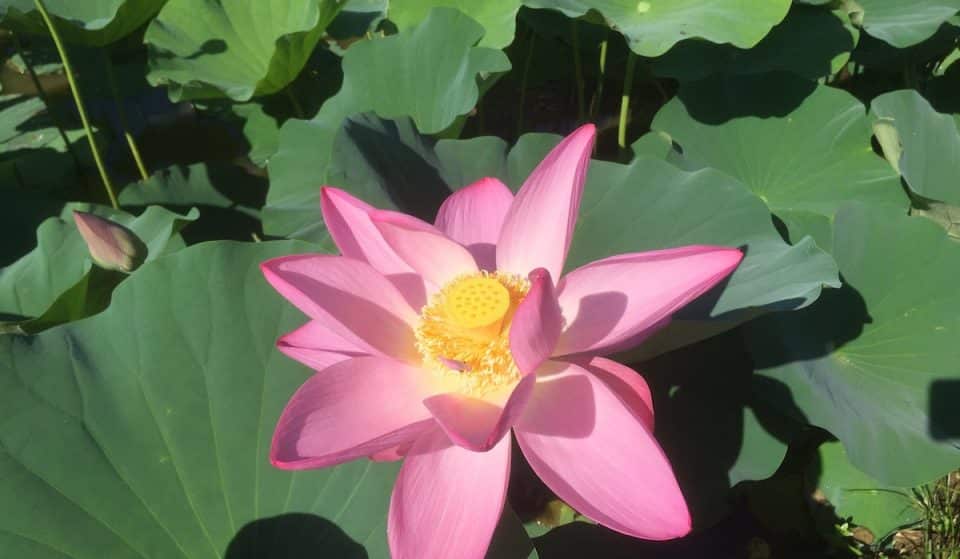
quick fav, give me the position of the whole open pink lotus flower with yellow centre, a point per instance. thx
(432, 342)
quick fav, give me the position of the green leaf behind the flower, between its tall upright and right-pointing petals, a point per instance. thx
(650, 204)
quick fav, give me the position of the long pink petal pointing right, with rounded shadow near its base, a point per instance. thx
(614, 299)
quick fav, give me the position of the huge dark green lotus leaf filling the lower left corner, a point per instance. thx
(143, 431)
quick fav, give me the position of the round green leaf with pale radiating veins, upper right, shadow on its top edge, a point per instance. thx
(802, 148)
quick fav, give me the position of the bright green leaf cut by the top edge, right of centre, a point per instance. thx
(652, 27)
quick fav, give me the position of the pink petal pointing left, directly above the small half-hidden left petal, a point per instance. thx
(348, 297)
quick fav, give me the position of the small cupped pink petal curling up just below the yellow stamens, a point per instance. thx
(477, 424)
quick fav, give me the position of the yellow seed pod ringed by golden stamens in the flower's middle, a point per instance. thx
(464, 331)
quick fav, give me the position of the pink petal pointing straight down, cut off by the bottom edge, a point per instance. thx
(447, 500)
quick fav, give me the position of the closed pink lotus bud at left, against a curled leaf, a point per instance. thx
(111, 245)
